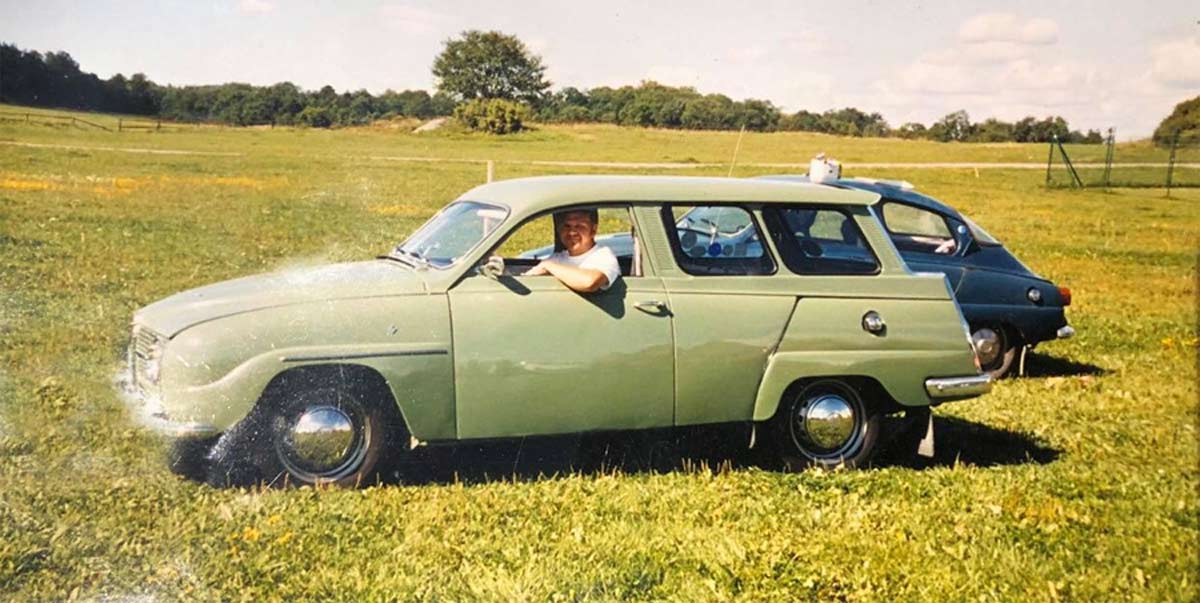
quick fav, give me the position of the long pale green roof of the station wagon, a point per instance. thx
(547, 193)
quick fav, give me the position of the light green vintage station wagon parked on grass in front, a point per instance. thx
(779, 306)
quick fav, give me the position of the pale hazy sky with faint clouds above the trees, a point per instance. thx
(1100, 64)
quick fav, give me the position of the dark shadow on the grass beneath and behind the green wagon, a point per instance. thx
(692, 450)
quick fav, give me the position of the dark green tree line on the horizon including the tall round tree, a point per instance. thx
(466, 73)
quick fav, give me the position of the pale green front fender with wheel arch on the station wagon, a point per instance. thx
(215, 373)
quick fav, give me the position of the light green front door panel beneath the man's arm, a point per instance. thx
(533, 357)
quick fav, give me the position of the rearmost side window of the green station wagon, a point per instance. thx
(820, 241)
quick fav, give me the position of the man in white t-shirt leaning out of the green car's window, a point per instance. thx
(583, 266)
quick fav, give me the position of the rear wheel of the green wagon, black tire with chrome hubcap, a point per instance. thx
(849, 446)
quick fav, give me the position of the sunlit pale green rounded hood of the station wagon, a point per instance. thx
(377, 278)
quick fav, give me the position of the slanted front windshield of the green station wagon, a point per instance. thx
(452, 234)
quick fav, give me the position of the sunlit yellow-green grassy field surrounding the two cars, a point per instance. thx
(1076, 483)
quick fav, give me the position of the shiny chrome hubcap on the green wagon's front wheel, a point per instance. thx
(325, 444)
